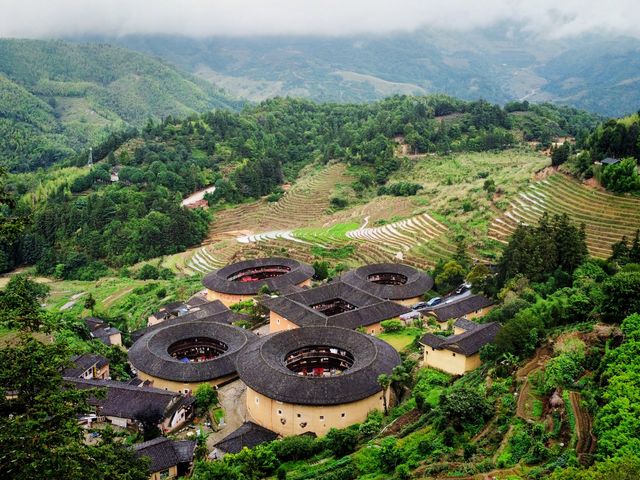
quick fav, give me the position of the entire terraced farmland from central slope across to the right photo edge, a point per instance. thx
(419, 231)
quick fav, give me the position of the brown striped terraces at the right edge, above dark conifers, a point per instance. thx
(606, 217)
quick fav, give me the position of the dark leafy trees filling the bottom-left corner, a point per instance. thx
(39, 431)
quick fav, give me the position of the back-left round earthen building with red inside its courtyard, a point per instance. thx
(243, 280)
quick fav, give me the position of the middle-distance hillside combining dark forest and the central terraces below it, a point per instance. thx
(90, 224)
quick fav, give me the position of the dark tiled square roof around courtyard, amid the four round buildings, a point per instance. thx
(296, 307)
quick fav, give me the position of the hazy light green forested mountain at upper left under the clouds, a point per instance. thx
(58, 97)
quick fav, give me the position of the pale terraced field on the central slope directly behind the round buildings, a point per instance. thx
(418, 231)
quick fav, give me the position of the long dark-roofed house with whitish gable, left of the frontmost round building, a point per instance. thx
(123, 403)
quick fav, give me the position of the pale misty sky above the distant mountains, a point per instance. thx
(546, 18)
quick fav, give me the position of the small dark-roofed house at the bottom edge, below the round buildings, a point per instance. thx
(167, 458)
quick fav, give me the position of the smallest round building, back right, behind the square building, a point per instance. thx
(390, 281)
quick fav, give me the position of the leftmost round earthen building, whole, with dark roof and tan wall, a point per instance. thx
(180, 355)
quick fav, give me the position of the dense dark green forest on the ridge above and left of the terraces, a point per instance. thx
(87, 224)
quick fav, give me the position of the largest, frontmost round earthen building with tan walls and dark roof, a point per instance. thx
(312, 379)
